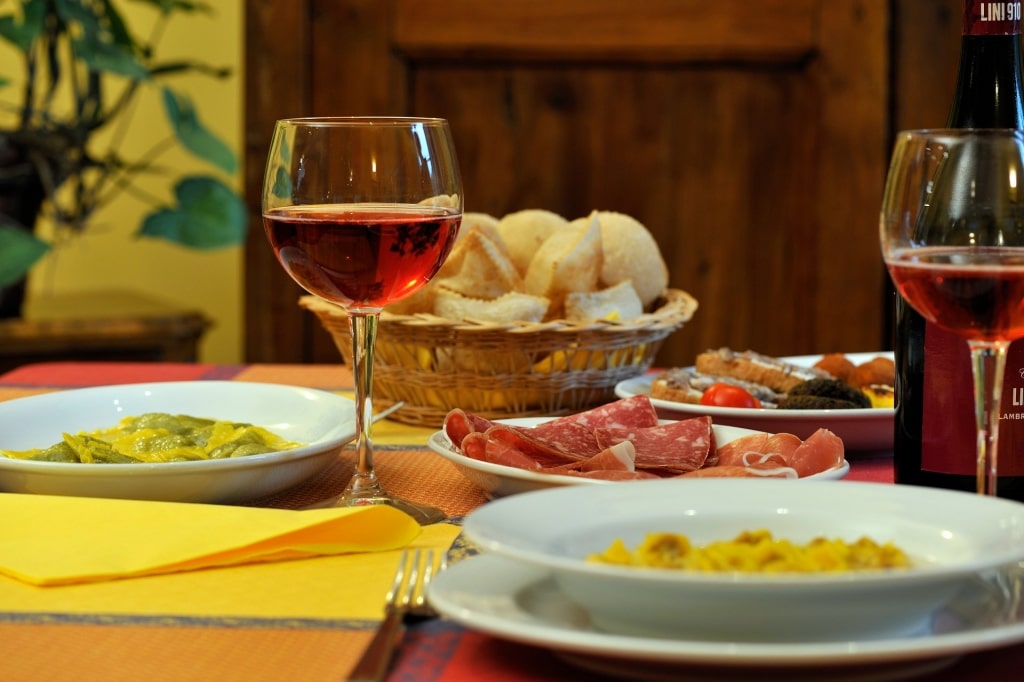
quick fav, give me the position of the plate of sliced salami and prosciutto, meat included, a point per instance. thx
(624, 441)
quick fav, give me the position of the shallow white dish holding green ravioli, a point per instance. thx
(323, 420)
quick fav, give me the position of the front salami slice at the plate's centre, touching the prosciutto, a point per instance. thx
(675, 447)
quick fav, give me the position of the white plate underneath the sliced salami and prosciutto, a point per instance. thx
(498, 481)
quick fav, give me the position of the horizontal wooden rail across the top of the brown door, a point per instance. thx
(608, 30)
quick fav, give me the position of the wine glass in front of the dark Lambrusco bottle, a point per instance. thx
(953, 238)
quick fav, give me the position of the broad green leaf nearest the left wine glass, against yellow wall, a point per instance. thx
(209, 216)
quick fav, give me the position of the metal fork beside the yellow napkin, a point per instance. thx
(406, 599)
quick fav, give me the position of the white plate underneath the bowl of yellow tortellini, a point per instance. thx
(522, 604)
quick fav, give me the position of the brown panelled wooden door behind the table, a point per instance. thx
(751, 137)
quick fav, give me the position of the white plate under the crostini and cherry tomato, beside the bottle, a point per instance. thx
(869, 430)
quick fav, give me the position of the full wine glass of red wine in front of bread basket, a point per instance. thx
(362, 212)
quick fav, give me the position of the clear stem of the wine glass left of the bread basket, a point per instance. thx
(364, 485)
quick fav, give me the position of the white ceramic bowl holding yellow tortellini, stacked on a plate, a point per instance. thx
(950, 536)
